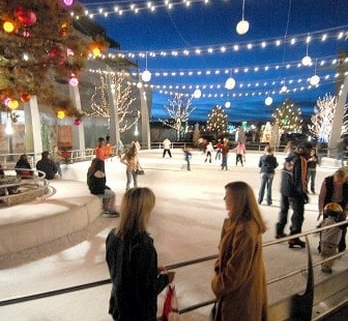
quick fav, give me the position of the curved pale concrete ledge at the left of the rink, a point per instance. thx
(70, 209)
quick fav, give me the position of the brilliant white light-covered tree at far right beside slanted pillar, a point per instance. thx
(322, 120)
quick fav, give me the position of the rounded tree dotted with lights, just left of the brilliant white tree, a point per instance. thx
(288, 117)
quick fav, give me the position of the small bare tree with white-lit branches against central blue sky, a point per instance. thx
(179, 110)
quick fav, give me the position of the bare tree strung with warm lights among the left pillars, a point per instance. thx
(122, 94)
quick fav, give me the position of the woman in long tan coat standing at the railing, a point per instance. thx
(239, 282)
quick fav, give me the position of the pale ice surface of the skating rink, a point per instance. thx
(185, 225)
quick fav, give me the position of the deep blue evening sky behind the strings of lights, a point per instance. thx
(202, 25)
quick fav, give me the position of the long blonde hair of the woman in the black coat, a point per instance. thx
(136, 207)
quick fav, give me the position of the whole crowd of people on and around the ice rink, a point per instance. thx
(239, 281)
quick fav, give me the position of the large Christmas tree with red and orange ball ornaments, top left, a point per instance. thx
(38, 43)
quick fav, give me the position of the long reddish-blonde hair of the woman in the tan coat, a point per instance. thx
(245, 207)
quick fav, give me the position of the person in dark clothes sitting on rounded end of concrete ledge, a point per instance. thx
(96, 182)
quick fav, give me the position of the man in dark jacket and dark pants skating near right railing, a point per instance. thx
(293, 192)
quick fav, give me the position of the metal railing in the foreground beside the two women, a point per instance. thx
(178, 265)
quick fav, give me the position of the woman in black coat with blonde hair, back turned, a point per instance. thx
(132, 261)
